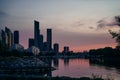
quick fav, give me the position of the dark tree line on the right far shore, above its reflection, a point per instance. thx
(106, 52)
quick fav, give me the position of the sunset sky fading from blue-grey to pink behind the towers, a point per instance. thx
(80, 24)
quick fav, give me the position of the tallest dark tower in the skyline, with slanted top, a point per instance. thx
(36, 33)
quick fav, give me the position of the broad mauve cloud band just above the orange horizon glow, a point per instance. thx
(80, 39)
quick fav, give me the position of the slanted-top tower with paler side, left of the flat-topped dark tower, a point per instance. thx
(9, 35)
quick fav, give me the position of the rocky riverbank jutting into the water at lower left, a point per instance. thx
(26, 65)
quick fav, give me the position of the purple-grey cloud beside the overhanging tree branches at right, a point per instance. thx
(107, 23)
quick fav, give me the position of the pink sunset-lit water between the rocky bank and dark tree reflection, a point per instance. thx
(83, 68)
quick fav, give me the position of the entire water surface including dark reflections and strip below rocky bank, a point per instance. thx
(77, 68)
